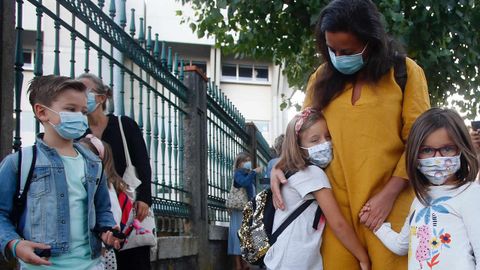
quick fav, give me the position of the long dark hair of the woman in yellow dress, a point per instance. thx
(362, 19)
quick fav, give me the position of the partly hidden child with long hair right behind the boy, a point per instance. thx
(115, 186)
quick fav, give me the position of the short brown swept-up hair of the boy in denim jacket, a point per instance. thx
(45, 89)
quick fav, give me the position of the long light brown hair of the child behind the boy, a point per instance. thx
(108, 165)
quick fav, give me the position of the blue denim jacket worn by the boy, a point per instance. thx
(46, 218)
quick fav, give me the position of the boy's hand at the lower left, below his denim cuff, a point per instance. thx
(25, 251)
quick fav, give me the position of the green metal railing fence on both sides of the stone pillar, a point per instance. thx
(73, 37)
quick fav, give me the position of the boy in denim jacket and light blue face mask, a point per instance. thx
(67, 203)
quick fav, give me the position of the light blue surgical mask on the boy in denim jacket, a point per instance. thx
(72, 124)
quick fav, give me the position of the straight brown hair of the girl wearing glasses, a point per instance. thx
(426, 124)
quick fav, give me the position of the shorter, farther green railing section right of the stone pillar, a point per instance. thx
(227, 136)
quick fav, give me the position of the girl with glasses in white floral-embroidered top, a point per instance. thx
(442, 228)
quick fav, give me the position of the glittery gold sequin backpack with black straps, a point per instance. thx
(255, 233)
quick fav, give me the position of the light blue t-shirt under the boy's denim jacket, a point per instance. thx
(79, 256)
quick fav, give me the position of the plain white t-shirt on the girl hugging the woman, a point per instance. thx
(298, 246)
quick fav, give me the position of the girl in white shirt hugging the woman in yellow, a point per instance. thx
(307, 142)
